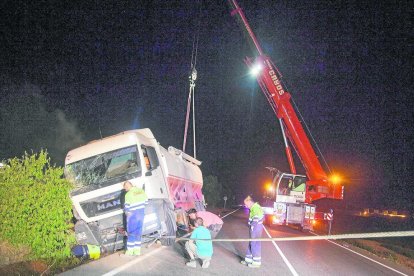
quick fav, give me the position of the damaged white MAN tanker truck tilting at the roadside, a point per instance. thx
(171, 179)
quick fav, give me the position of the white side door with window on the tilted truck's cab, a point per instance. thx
(154, 179)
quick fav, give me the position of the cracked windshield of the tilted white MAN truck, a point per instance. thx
(104, 169)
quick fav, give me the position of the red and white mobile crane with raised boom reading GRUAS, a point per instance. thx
(294, 194)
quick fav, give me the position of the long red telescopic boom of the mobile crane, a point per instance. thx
(318, 184)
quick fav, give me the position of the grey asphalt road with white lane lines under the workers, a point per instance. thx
(281, 258)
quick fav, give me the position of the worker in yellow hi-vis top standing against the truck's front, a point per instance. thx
(135, 201)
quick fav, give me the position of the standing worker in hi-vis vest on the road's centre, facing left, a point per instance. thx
(253, 255)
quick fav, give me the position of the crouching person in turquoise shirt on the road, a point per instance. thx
(199, 249)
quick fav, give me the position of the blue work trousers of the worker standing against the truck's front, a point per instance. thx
(135, 220)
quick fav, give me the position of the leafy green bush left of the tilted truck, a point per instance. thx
(35, 207)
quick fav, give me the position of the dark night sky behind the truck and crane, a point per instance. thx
(72, 69)
